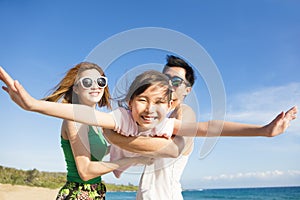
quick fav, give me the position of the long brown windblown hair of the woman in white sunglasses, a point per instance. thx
(64, 89)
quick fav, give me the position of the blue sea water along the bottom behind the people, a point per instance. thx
(274, 193)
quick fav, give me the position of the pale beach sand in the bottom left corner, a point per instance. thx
(18, 192)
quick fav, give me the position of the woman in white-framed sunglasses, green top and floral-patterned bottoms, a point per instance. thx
(84, 146)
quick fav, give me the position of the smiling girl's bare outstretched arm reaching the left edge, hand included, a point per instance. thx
(80, 113)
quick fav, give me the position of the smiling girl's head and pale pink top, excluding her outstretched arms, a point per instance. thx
(146, 104)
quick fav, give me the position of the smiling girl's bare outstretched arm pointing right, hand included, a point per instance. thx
(215, 128)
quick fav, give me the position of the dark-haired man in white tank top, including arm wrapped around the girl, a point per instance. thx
(162, 179)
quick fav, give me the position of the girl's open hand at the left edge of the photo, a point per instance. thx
(16, 92)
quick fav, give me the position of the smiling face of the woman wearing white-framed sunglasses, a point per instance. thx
(92, 95)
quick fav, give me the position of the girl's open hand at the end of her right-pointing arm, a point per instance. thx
(281, 122)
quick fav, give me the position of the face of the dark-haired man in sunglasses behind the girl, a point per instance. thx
(180, 86)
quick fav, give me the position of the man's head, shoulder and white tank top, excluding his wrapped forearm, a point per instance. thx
(161, 180)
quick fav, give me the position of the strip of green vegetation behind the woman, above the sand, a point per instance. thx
(51, 180)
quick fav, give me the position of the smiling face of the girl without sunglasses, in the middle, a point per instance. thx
(150, 107)
